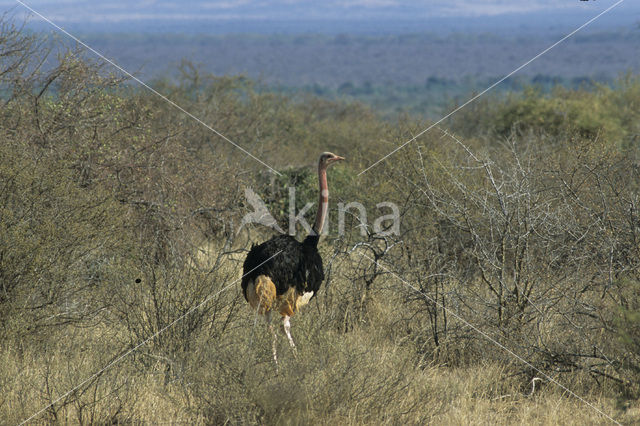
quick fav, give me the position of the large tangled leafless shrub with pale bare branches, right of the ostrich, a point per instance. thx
(526, 240)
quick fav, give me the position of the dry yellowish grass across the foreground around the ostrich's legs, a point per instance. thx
(369, 375)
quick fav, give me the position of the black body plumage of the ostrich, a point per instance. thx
(297, 265)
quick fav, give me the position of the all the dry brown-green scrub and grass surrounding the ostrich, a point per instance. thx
(120, 248)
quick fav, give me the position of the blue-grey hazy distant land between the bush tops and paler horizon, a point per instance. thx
(334, 60)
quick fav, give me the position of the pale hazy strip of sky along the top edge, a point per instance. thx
(120, 10)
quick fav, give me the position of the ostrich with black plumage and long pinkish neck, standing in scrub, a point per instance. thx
(283, 274)
